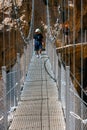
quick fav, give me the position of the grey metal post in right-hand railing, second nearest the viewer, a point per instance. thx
(59, 75)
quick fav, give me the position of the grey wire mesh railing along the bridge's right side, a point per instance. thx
(72, 103)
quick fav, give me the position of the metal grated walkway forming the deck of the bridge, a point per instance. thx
(39, 108)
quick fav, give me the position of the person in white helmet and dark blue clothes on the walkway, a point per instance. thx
(37, 41)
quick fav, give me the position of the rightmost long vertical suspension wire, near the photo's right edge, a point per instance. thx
(81, 61)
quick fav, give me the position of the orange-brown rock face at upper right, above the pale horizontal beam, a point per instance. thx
(75, 14)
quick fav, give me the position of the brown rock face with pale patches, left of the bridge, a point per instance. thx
(10, 38)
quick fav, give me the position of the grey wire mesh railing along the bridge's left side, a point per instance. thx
(12, 85)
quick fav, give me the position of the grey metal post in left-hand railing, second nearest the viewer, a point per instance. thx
(18, 75)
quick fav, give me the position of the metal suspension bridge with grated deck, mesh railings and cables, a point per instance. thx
(39, 93)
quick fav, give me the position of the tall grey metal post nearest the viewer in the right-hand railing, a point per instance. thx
(67, 96)
